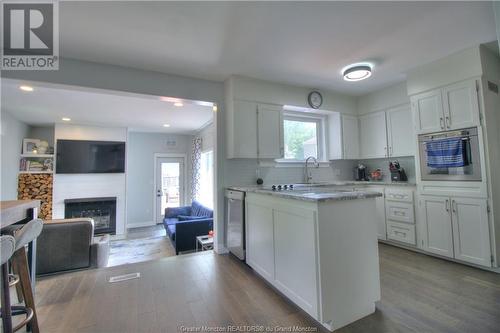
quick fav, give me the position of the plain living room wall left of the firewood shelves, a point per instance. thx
(12, 135)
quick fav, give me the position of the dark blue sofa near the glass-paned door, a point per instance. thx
(184, 224)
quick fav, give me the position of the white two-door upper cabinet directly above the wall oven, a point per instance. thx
(452, 107)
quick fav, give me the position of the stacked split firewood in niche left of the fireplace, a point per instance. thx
(39, 187)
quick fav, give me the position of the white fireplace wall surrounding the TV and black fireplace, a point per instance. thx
(69, 186)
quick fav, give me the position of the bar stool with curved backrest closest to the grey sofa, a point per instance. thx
(19, 262)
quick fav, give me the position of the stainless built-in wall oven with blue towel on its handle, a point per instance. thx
(450, 156)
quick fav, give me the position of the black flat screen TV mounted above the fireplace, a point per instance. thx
(78, 156)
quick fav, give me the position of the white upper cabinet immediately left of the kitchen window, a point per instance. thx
(254, 130)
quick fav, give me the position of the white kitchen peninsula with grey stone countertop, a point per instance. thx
(318, 246)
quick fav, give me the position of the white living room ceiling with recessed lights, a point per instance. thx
(48, 104)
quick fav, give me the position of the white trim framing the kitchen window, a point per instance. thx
(320, 121)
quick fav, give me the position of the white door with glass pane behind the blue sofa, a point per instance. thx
(169, 184)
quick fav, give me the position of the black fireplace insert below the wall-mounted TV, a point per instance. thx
(102, 210)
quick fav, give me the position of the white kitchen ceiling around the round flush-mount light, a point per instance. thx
(301, 43)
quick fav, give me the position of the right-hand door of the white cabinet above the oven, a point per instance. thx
(461, 105)
